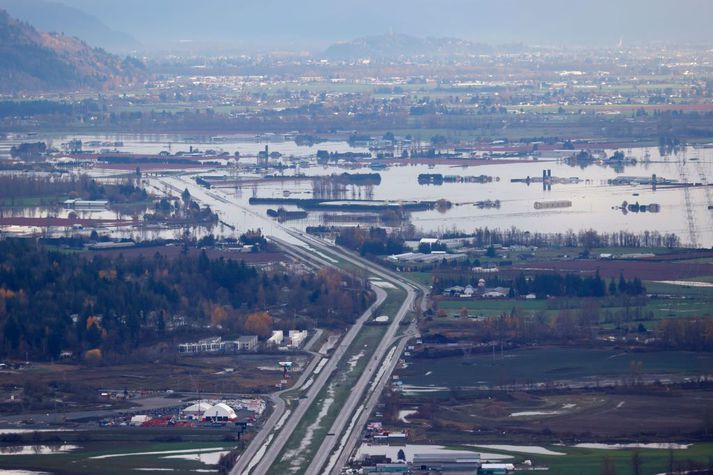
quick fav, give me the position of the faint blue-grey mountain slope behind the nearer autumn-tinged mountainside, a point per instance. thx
(51, 16)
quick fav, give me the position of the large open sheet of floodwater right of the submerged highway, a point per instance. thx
(593, 199)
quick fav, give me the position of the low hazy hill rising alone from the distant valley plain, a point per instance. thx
(400, 46)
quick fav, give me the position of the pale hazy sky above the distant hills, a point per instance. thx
(317, 23)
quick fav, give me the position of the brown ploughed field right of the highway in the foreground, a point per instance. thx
(648, 414)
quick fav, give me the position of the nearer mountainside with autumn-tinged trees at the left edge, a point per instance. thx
(32, 61)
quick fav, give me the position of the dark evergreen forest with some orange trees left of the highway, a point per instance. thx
(52, 301)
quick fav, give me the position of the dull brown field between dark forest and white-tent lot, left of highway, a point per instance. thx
(71, 387)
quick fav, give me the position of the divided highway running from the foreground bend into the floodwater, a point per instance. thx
(266, 446)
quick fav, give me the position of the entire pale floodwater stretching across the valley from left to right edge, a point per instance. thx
(594, 201)
